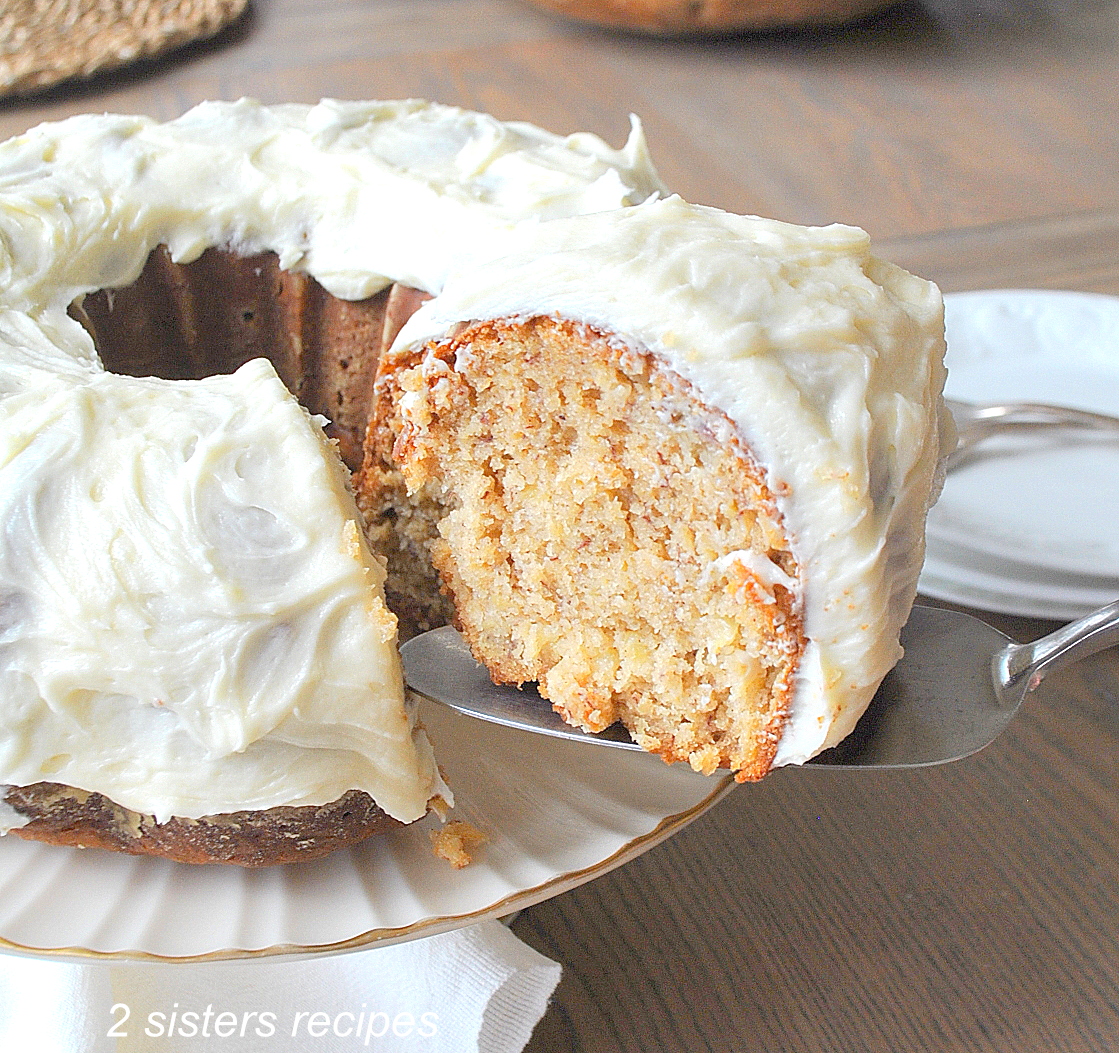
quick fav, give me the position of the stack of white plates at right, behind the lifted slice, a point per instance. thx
(1035, 515)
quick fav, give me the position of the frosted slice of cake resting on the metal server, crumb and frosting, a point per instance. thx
(674, 466)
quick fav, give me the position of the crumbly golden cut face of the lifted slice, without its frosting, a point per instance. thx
(584, 509)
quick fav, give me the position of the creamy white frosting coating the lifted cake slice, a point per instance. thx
(830, 362)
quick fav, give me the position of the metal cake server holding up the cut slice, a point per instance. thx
(958, 687)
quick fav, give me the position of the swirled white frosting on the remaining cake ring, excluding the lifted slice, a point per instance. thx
(191, 622)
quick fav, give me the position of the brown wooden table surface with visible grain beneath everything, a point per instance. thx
(957, 910)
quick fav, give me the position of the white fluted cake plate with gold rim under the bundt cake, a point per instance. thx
(557, 815)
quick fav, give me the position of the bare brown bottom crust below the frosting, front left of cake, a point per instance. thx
(64, 816)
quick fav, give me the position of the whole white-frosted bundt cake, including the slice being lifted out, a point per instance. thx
(671, 464)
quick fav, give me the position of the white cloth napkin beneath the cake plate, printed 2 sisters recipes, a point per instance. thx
(477, 989)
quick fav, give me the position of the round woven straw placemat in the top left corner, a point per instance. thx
(46, 42)
